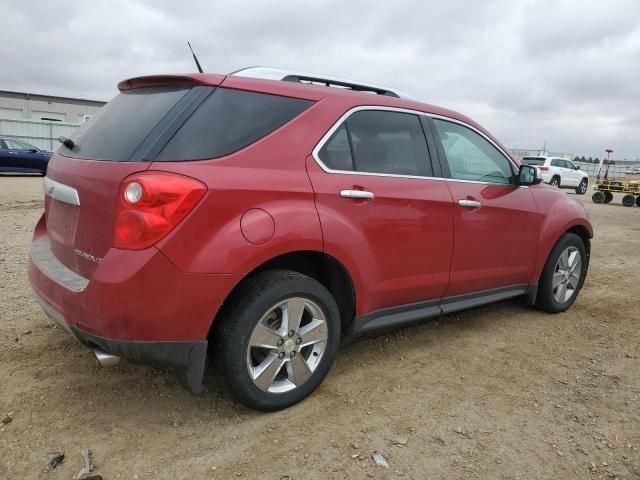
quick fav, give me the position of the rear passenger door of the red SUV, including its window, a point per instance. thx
(382, 213)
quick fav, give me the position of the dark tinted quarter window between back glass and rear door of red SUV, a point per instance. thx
(229, 120)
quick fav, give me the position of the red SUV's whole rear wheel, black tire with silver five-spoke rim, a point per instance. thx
(277, 339)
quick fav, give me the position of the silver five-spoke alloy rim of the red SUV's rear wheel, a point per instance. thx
(287, 345)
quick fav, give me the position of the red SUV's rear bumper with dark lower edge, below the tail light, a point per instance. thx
(137, 305)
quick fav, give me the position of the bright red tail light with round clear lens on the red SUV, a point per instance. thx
(150, 205)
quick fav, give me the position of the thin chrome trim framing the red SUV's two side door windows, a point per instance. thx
(315, 153)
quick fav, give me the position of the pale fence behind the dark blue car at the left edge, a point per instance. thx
(38, 133)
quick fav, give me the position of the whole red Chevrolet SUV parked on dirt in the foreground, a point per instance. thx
(260, 219)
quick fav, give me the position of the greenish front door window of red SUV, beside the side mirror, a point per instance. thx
(471, 157)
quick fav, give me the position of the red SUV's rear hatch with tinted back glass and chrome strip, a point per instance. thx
(111, 146)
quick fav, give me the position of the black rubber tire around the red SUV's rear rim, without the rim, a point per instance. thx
(233, 329)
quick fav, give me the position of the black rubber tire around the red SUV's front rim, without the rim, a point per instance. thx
(546, 300)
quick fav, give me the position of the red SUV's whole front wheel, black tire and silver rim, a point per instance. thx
(563, 274)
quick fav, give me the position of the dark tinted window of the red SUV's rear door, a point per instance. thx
(377, 141)
